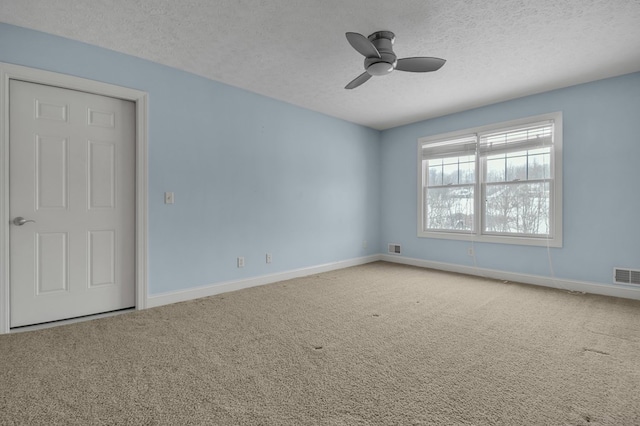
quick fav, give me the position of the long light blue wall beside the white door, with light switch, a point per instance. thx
(251, 175)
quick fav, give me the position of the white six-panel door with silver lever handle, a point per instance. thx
(72, 179)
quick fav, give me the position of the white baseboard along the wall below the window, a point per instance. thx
(626, 292)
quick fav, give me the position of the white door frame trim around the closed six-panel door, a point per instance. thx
(11, 72)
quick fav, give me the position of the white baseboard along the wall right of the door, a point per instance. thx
(224, 287)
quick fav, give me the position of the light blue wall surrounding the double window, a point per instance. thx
(601, 184)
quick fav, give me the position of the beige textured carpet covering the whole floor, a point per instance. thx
(378, 344)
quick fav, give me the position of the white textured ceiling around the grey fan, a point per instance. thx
(296, 51)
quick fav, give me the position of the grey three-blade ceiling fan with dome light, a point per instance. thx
(379, 58)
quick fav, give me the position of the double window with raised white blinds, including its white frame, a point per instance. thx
(499, 183)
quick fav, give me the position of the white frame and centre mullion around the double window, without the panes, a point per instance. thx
(554, 239)
